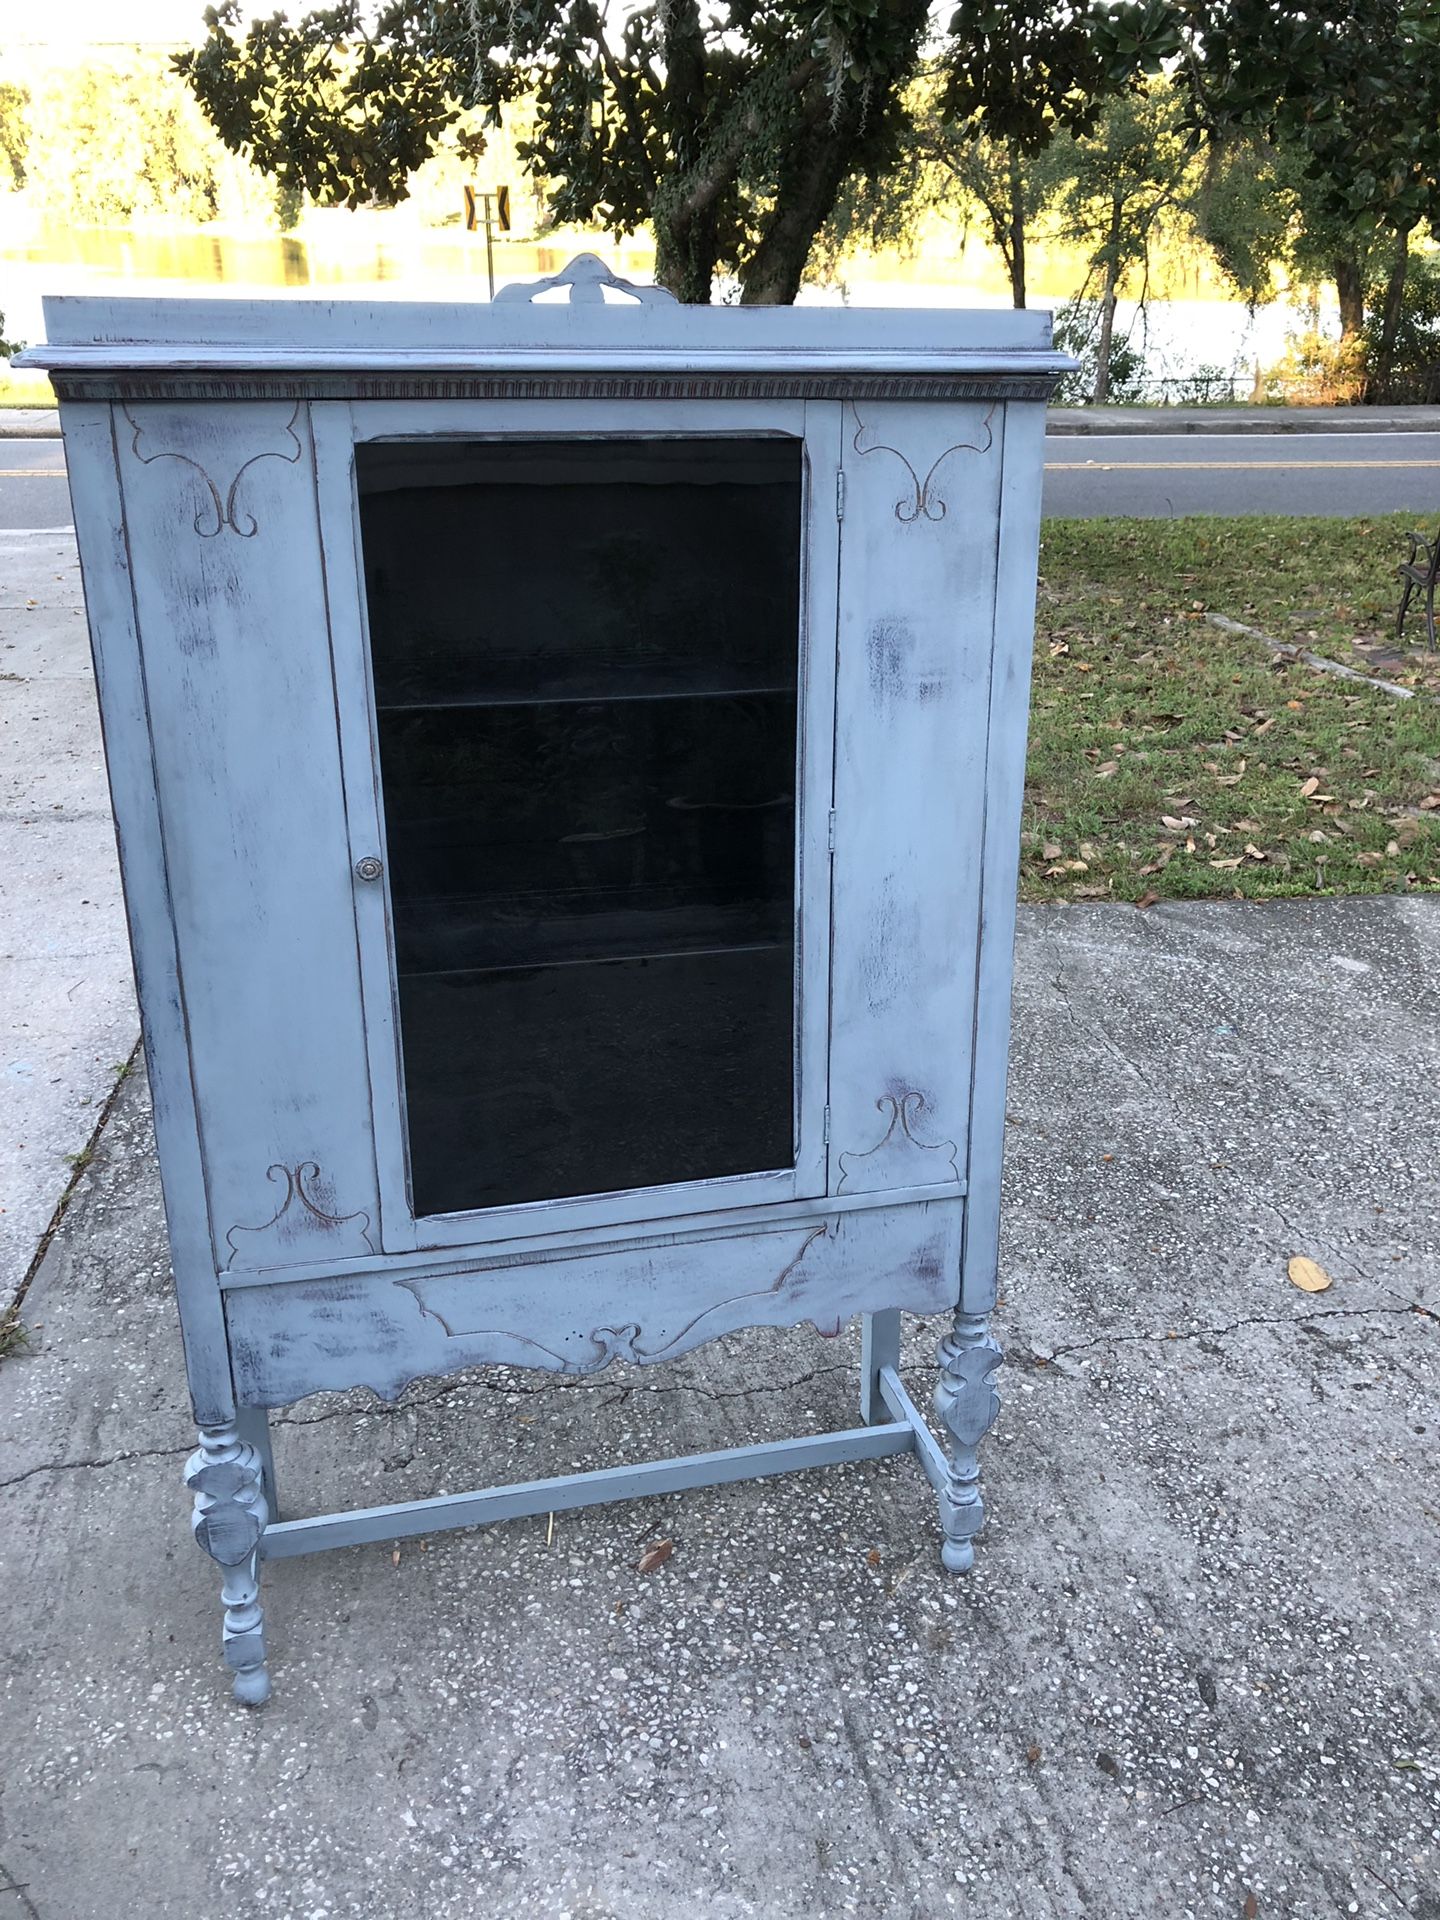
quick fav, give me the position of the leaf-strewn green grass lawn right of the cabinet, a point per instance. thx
(1176, 761)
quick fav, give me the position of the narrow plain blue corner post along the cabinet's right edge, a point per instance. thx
(1015, 650)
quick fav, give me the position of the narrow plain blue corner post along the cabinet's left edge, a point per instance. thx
(120, 684)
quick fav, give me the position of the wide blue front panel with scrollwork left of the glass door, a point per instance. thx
(235, 640)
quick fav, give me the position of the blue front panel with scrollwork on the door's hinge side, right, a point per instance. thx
(919, 556)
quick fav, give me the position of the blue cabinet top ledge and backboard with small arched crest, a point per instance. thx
(604, 325)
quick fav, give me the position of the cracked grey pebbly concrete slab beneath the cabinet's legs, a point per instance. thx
(1197, 1660)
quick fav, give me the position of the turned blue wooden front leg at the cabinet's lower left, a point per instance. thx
(228, 1481)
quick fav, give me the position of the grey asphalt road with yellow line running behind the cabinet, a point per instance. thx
(1149, 475)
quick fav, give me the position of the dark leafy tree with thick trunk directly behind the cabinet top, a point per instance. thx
(731, 126)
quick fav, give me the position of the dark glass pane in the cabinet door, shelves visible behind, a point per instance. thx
(587, 683)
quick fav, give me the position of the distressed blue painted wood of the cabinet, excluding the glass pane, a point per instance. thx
(210, 448)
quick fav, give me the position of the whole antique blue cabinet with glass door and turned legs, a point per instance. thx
(567, 765)
